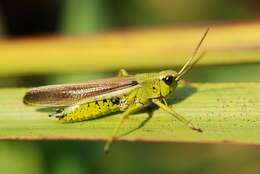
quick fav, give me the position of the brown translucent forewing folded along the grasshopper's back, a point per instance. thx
(68, 94)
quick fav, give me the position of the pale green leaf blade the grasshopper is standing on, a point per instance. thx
(227, 112)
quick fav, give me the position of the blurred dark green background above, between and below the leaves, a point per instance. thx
(29, 18)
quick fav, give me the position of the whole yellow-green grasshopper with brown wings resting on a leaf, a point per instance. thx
(127, 93)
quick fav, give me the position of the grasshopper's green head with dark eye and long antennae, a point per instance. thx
(169, 79)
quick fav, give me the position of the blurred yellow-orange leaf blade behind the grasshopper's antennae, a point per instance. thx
(225, 44)
